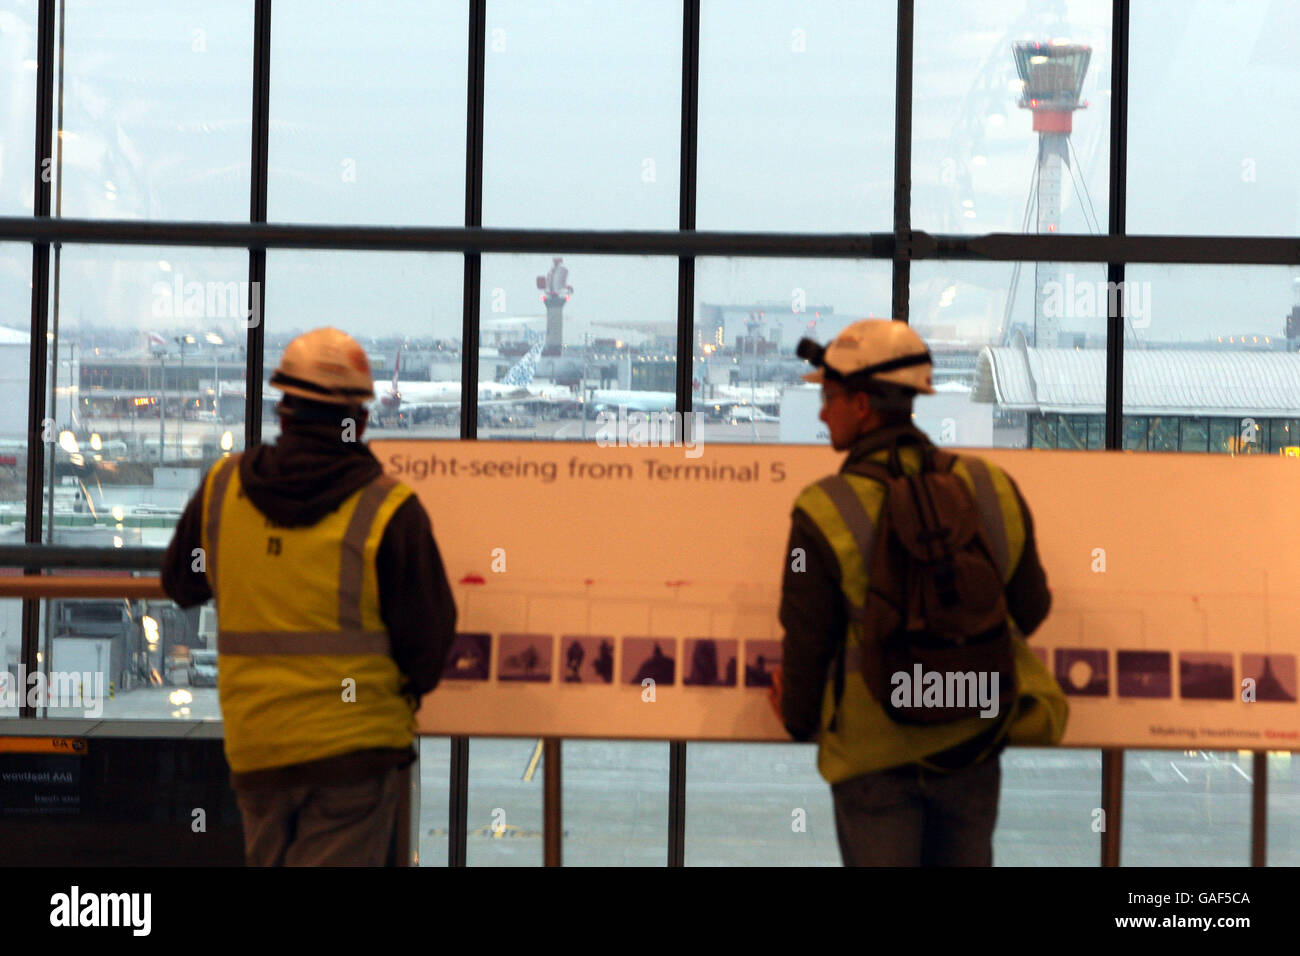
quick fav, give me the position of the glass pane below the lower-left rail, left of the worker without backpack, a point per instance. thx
(123, 660)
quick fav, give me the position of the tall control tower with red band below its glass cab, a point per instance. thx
(1054, 77)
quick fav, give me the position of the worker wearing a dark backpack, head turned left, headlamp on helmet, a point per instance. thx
(921, 791)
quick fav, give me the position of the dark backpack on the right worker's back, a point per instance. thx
(935, 618)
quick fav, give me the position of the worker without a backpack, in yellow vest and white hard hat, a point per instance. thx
(335, 617)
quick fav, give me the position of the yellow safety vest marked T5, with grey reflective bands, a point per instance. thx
(305, 671)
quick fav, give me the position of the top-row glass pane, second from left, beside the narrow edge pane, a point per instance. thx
(158, 100)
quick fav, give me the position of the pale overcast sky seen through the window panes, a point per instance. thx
(582, 131)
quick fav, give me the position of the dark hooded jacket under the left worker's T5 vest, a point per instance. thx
(307, 474)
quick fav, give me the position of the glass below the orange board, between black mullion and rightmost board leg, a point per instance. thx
(1191, 808)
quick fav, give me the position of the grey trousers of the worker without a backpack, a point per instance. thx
(349, 825)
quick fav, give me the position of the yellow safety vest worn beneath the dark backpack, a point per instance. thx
(846, 508)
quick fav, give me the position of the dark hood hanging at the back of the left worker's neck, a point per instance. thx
(309, 473)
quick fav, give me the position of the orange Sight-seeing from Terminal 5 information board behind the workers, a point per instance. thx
(632, 592)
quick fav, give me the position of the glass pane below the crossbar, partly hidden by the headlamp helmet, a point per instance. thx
(751, 314)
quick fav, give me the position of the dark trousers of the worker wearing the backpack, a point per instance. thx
(915, 817)
